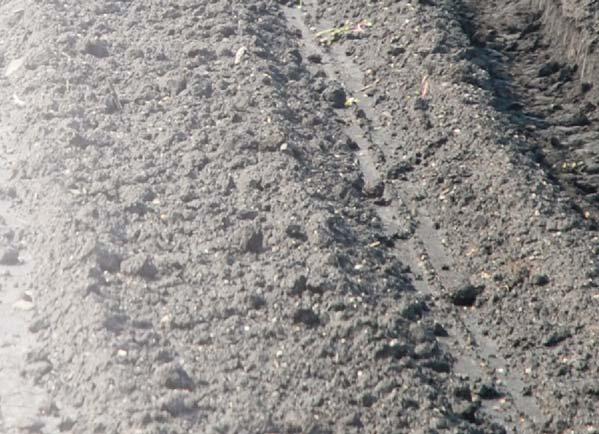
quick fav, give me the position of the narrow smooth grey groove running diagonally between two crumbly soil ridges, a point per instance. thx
(420, 245)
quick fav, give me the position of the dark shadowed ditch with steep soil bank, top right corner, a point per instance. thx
(540, 76)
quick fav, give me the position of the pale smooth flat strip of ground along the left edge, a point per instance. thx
(24, 406)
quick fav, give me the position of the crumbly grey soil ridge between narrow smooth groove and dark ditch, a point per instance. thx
(508, 225)
